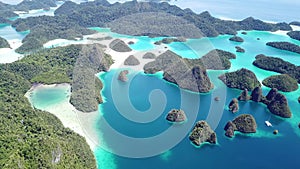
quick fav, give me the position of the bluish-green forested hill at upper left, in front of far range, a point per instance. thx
(46, 28)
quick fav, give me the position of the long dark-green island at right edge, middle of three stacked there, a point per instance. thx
(277, 65)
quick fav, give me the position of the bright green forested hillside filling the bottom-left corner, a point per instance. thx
(30, 138)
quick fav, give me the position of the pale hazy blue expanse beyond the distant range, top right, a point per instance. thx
(276, 10)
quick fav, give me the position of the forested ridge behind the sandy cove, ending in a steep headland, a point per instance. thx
(71, 64)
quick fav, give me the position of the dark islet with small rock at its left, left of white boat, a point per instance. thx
(244, 123)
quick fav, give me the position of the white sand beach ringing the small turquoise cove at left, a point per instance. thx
(77, 121)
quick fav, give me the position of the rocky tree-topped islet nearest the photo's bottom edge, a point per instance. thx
(202, 133)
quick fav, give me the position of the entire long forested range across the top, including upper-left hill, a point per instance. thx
(103, 14)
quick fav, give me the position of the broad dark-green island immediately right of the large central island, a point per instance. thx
(240, 79)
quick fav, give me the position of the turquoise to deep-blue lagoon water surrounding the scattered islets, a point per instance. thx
(259, 150)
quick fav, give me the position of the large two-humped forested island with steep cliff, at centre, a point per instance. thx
(190, 74)
